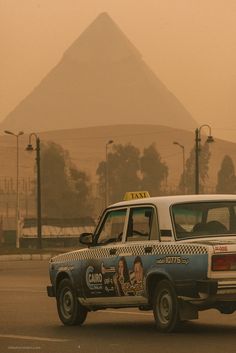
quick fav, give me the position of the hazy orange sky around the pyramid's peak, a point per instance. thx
(189, 44)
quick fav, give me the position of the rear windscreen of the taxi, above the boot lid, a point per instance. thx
(204, 219)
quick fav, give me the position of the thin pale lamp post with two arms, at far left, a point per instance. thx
(17, 185)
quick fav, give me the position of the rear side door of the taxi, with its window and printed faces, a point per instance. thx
(135, 254)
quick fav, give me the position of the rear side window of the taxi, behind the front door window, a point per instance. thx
(139, 224)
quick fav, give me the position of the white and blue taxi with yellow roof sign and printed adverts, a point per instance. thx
(175, 255)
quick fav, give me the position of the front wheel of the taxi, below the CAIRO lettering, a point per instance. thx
(70, 311)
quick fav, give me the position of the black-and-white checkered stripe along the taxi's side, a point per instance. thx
(136, 249)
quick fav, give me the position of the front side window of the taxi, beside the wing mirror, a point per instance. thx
(112, 227)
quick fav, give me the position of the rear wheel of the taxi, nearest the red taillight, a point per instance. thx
(165, 307)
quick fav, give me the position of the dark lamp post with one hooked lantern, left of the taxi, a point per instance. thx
(39, 218)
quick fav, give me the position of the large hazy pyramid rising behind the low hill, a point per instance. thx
(100, 80)
